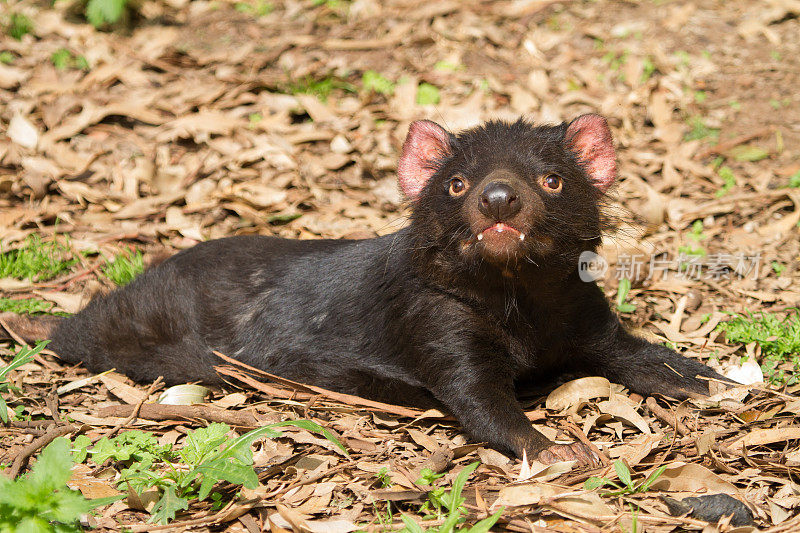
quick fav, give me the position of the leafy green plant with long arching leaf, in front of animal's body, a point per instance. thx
(207, 457)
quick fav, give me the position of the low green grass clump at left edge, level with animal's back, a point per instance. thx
(36, 260)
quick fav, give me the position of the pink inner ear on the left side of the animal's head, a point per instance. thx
(426, 143)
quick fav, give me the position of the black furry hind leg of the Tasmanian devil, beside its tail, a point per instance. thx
(147, 329)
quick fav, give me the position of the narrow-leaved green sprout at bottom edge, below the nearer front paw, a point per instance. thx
(448, 505)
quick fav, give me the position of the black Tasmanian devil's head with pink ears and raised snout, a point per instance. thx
(508, 194)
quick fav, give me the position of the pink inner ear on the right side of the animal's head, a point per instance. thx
(590, 138)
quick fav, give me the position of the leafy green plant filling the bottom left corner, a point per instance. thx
(41, 501)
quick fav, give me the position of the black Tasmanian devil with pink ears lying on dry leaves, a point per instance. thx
(477, 295)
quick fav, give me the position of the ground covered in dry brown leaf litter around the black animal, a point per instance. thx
(199, 120)
